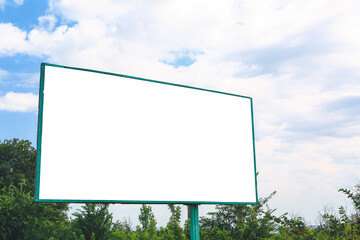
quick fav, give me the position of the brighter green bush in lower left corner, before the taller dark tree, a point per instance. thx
(22, 218)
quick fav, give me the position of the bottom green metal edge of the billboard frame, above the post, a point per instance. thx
(141, 202)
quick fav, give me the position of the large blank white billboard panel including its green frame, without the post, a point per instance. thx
(112, 138)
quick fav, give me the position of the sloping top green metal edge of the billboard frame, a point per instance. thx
(143, 79)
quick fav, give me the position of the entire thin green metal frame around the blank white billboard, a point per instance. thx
(40, 117)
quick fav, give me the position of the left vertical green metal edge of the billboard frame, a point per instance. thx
(39, 133)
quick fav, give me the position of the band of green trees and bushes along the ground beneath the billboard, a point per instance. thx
(22, 218)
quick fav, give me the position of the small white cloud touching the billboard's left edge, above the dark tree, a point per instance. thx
(19, 102)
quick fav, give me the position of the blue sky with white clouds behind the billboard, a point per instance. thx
(298, 60)
